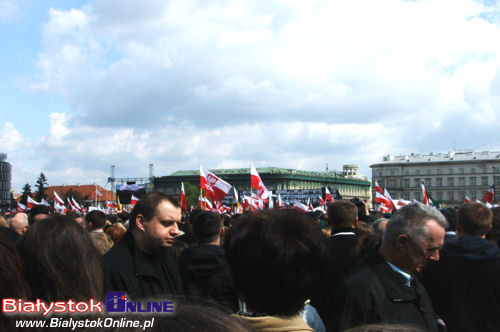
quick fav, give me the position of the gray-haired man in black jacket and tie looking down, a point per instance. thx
(385, 290)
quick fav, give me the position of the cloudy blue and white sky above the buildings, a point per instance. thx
(89, 84)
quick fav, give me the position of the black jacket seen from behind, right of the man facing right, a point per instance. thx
(206, 274)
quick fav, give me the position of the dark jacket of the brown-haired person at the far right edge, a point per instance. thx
(464, 285)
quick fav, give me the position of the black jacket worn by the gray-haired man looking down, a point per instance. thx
(376, 293)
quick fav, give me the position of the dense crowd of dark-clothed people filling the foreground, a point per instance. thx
(351, 269)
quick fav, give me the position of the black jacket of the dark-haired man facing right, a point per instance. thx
(128, 269)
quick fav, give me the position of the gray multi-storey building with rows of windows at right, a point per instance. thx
(448, 177)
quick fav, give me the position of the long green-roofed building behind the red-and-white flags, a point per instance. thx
(291, 184)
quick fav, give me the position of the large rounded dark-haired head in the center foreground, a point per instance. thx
(277, 258)
